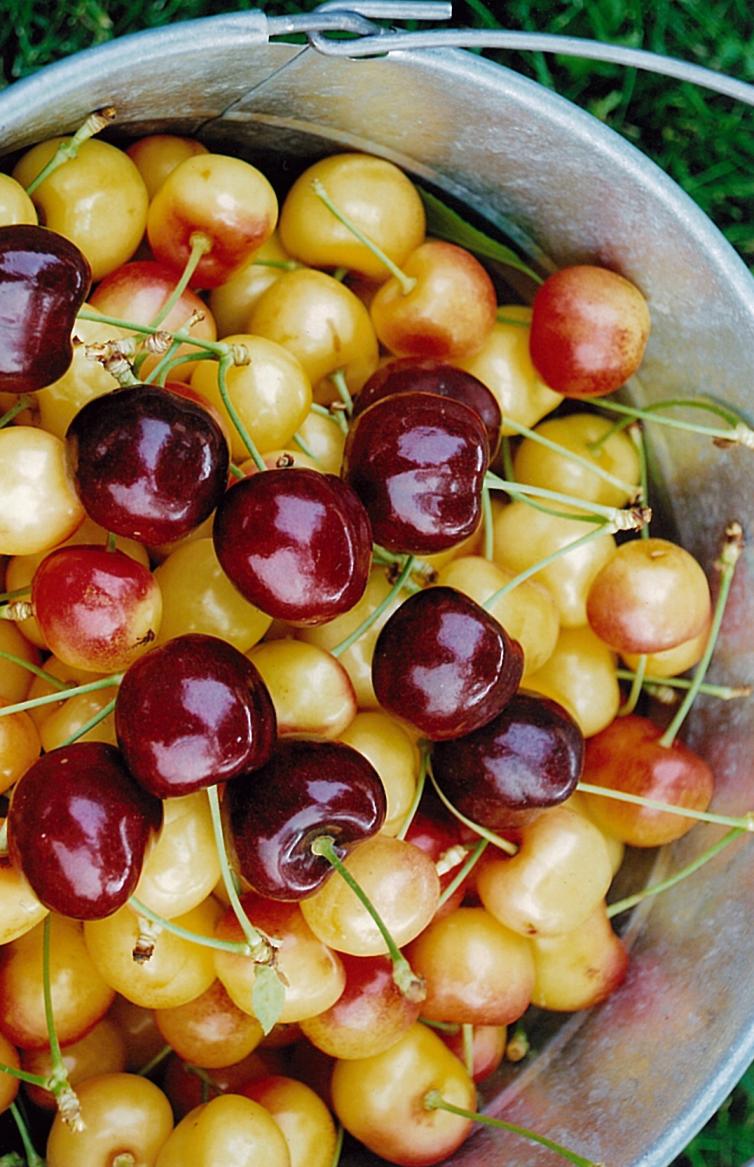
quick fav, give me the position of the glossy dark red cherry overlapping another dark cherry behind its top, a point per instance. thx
(417, 462)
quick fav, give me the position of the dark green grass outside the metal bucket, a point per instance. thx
(704, 142)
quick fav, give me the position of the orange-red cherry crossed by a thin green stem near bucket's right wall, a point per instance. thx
(631, 757)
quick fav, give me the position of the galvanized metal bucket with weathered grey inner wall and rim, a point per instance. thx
(631, 1082)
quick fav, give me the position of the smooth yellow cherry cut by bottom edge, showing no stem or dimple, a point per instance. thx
(228, 1130)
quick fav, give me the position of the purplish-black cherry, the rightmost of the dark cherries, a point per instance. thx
(528, 758)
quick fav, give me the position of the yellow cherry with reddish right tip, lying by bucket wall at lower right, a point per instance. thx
(581, 968)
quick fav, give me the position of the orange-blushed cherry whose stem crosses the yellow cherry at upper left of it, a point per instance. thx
(448, 315)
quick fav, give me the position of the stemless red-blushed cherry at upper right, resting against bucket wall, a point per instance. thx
(589, 331)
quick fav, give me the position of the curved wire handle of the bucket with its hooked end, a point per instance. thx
(371, 40)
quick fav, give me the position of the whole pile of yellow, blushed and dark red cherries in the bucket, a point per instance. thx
(260, 589)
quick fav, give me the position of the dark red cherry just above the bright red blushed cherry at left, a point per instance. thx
(149, 464)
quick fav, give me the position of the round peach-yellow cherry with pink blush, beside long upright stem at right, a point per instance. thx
(652, 596)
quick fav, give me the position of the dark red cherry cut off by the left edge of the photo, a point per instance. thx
(44, 282)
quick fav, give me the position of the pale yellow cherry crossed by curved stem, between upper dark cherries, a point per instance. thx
(273, 395)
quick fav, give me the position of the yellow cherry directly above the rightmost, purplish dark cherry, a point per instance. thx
(581, 676)
